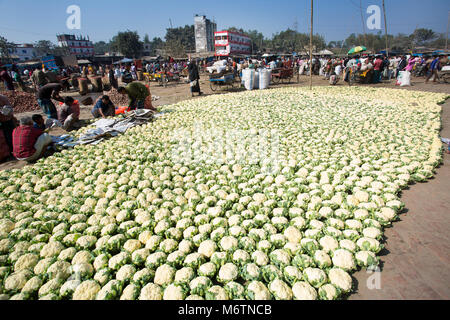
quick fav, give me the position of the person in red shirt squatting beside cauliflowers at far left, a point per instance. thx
(29, 144)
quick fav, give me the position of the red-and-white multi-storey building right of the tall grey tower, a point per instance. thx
(232, 43)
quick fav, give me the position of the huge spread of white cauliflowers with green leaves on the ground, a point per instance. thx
(274, 194)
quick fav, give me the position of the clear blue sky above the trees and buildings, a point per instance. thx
(27, 21)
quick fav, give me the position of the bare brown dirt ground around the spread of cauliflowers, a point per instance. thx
(415, 263)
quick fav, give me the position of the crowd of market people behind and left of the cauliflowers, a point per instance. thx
(28, 138)
